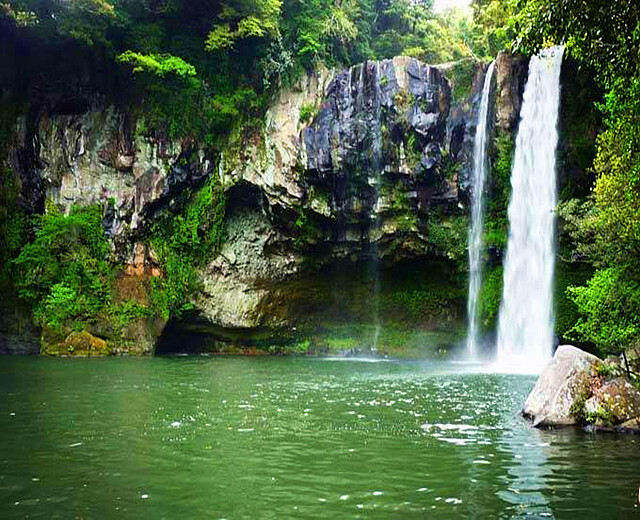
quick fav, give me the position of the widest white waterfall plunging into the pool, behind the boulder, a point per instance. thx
(525, 327)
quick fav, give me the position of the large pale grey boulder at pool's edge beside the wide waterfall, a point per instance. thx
(561, 388)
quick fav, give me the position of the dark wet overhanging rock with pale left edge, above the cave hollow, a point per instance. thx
(380, 155)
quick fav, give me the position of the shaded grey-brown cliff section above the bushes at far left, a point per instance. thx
(96, 157)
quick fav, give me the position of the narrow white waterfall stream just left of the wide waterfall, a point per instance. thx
(480, 168)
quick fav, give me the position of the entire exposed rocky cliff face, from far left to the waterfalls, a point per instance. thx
(367, 163)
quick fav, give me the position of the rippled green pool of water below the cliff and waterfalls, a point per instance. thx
(293, 438)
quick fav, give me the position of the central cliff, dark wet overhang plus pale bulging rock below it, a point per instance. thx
(378, 170)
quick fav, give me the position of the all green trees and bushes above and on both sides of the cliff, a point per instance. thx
(202, 71)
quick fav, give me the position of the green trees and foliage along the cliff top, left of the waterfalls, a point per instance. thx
(204, 67)
